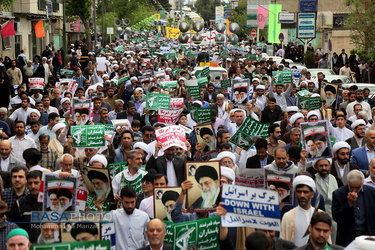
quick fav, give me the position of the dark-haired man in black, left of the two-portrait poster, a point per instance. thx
(21, 208)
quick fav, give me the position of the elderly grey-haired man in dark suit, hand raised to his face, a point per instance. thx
(353, 208)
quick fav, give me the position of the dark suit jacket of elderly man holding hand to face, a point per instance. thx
(343, 214)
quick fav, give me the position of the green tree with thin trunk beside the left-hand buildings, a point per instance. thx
(81, 9)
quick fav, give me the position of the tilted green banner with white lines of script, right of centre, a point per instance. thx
(250, 127)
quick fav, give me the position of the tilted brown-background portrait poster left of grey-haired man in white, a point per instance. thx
(98, 182)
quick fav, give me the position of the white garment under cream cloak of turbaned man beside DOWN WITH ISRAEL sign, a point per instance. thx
(303, 217)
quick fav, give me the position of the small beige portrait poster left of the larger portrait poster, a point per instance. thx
(164, 200)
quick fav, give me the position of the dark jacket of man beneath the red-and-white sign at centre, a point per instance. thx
(160, 165)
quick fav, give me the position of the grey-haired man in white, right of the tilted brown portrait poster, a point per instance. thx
(133, 172)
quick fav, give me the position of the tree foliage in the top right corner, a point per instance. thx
(361, 21)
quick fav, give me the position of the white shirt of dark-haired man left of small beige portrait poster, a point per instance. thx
(130, 229)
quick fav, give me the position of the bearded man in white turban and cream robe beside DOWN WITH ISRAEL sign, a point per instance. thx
(304, 188)
